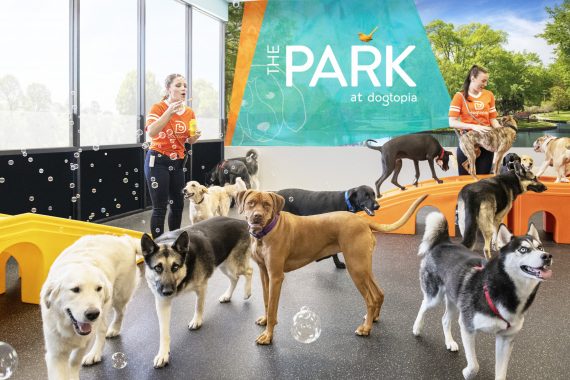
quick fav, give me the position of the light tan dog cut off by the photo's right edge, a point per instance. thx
(557, 154)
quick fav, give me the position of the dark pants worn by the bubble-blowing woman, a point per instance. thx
(165, 181)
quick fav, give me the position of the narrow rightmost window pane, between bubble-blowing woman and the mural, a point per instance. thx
(206, 56)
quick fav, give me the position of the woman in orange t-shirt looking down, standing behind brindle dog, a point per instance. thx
(473, 108)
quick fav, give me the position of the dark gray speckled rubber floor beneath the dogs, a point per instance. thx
(224, 348)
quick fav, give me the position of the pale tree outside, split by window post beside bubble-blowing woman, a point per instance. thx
(126, 101)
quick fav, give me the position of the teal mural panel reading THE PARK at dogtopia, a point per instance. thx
(315, 82)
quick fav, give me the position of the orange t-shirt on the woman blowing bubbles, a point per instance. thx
(170, 141)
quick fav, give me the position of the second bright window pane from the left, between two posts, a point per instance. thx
(108, 75)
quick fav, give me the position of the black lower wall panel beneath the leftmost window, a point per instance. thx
(39, 182)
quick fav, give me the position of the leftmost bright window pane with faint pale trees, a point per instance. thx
(34, 74)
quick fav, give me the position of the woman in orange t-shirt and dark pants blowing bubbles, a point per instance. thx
(169, 123)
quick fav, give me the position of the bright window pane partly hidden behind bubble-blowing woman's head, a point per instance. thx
(165, 46)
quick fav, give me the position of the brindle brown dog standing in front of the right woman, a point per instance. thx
(498, 140)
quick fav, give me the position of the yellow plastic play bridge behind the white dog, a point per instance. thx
(36, 240)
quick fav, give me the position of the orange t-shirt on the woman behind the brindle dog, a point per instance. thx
(482, 107)
